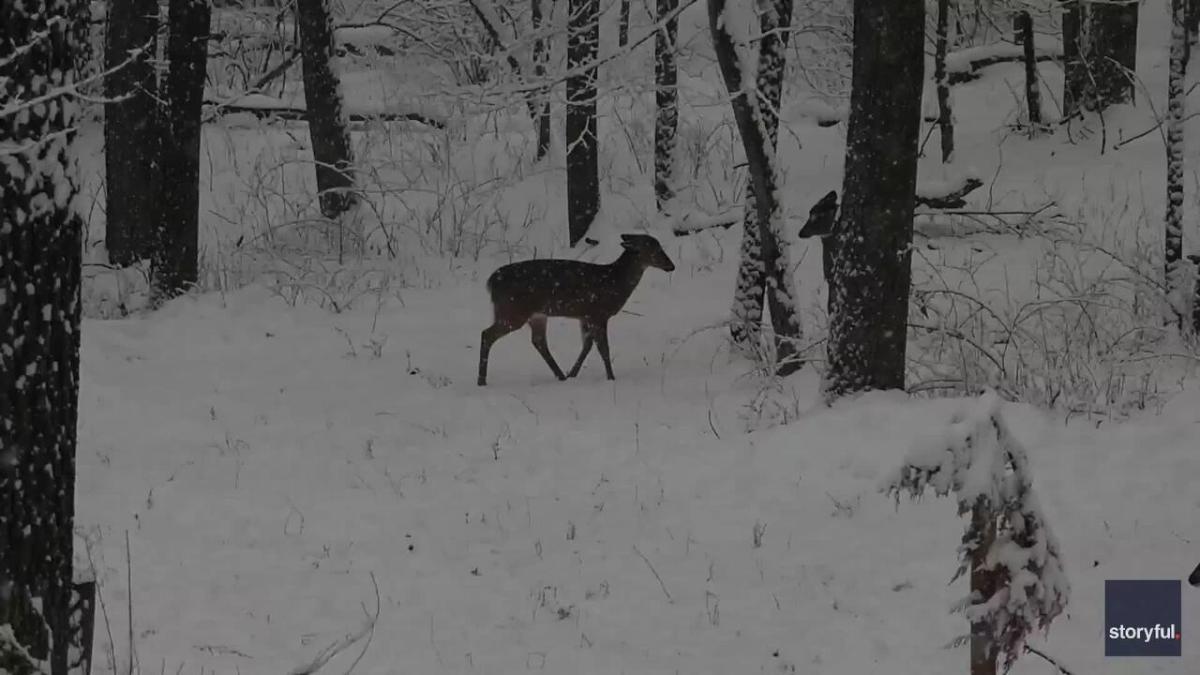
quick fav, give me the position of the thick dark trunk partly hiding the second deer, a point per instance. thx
(872, 252)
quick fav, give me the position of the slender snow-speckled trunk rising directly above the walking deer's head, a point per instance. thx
(667, 99)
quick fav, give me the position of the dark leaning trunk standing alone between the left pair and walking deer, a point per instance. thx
(327, 122)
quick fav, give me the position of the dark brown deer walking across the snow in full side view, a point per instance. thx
(532, 291)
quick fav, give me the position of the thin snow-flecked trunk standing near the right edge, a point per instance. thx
(1175, 272)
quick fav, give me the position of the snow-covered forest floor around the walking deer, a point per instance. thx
(274, 464)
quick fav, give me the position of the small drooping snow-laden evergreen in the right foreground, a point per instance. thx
(1017, 575)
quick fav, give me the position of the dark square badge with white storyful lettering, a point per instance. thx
(1143, 618)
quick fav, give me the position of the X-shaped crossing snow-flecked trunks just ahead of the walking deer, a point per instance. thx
(766, 266)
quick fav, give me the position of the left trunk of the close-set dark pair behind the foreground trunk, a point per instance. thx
(131, 134)
